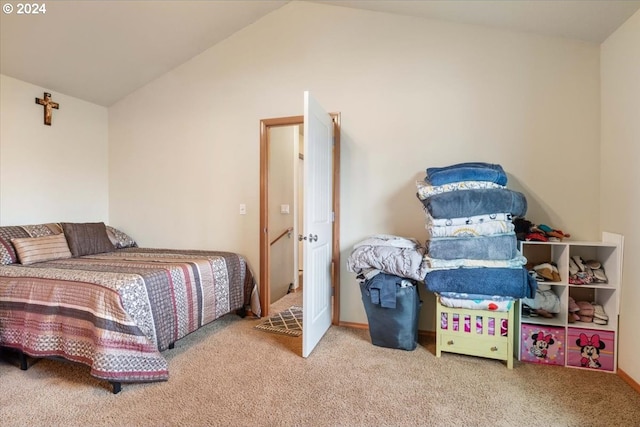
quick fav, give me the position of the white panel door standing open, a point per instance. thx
(318, 223)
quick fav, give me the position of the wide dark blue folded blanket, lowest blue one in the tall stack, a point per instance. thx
(509, 282)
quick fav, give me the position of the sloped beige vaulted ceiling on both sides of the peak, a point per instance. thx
(101, 51)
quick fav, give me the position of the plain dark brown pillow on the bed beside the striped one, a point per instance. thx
(87, 238)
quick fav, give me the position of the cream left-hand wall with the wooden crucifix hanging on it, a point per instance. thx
(51, 173)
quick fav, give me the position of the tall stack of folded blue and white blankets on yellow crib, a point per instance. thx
(472, 251)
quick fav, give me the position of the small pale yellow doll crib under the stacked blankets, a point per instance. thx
(474, 332)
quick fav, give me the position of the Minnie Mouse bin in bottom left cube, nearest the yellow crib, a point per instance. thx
(542, 344)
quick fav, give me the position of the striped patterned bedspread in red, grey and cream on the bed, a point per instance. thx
(117, 311)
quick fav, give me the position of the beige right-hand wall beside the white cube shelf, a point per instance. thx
(620, 193)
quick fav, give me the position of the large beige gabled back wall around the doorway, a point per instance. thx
(413, 93)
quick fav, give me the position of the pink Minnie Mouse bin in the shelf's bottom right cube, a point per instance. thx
(591, 349)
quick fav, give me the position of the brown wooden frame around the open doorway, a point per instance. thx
(265, 249)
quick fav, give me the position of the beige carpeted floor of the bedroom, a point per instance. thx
(230, 373)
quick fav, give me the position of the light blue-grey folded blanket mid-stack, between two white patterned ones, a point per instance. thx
(495, 247)
